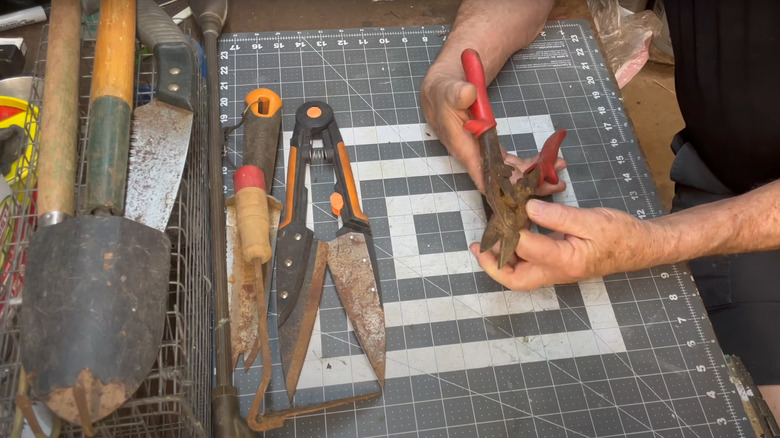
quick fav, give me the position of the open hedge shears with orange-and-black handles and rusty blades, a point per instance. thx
(302, 259)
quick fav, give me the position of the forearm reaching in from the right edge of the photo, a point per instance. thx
(746, 223)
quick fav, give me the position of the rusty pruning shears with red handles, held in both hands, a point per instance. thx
(506, 200)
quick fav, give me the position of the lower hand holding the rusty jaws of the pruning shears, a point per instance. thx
(586, 243)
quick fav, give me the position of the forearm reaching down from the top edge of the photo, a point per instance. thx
(495, 29)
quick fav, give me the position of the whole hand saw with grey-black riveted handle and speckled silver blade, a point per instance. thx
(161, 128)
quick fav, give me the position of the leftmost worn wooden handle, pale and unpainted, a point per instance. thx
(58, 136)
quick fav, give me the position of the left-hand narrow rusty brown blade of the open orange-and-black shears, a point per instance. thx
(295, 332)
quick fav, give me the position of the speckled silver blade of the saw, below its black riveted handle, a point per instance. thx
(158, 151)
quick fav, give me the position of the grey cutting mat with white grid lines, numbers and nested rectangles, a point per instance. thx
(626, 355)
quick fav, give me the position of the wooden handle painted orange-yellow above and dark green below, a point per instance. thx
(111, 107)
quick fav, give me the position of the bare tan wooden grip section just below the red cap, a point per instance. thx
(253, 224)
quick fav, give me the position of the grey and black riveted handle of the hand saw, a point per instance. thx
(173, 54)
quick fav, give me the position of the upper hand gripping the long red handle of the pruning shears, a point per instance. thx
(446, 96)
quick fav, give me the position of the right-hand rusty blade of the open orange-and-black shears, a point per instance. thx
(353, 274)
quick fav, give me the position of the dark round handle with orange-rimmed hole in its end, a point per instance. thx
(261, 131)
